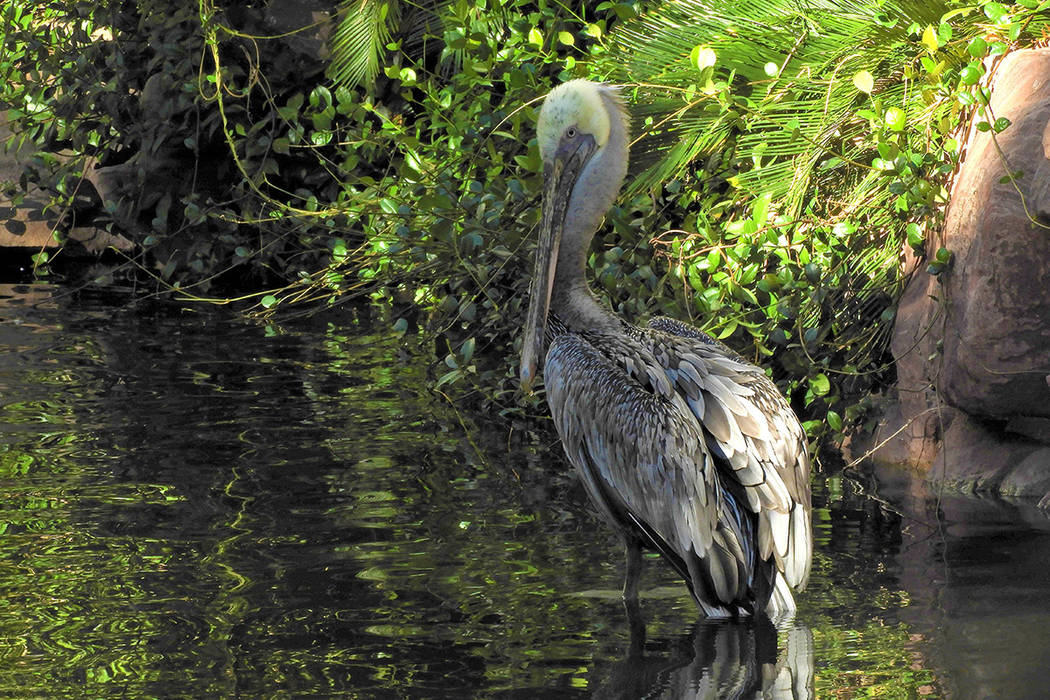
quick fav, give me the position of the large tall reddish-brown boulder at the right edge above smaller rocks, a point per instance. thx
(992, 311)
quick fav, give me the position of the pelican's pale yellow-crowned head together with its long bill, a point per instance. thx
(576, 123)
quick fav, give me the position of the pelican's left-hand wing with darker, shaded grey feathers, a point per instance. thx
(644, 462)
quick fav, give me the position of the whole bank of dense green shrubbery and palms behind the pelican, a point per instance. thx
(787, 154)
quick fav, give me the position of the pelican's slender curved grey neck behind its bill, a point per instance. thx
(594, 195)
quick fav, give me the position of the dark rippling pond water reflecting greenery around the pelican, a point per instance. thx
(195, 506)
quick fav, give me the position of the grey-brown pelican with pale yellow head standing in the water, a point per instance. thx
(683, 447)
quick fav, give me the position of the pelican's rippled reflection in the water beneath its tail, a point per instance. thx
(721, 659)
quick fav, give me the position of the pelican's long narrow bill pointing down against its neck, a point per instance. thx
(552, 225)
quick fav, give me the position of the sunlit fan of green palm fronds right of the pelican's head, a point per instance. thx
(803, 111)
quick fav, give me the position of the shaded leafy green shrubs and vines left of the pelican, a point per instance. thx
(417, 190)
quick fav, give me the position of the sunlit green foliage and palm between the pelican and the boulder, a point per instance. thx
(810, 143)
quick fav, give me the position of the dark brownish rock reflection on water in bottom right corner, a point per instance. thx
(978, 579)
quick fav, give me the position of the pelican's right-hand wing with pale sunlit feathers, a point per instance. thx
(752, 432)
